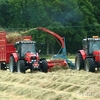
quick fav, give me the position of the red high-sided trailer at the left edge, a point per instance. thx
(5, 51)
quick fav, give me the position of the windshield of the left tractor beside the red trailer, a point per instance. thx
(27, 48)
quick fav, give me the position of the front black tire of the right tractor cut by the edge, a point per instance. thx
(89, 65)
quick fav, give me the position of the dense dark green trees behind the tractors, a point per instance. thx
(72, 19)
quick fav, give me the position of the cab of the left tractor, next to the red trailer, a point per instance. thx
(23, 47)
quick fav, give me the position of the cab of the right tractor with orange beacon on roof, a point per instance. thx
(91, 44)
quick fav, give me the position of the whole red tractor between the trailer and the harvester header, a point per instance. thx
(26, 57)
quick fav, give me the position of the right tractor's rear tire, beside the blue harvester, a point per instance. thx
(79, 63)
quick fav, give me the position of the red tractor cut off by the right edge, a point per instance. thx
(89, 57)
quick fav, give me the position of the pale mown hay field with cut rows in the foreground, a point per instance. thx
(61, 84)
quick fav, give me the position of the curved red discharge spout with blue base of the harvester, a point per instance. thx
(63, 53)
